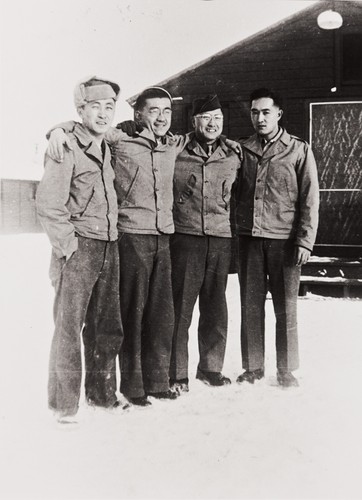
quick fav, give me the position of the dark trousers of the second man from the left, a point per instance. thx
(147, 313)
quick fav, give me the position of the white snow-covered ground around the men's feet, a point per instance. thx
(242, 442)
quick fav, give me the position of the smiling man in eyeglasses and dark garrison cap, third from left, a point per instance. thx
(201, 246)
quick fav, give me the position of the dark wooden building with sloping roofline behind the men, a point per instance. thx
(319, 74)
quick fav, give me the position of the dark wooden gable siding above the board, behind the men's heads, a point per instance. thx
(295, 57)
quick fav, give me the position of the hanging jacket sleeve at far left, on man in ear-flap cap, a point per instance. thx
(51, 202)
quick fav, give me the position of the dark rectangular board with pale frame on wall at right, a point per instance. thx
(337, 144)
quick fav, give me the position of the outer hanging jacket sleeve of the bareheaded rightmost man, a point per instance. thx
(308, 199)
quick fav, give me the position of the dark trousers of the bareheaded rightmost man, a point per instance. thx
(262, 260)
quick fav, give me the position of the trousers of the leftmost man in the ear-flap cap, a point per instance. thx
(86, 290)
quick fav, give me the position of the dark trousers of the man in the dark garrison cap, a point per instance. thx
(200, 266)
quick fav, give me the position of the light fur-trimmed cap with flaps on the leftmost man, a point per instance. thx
(94, 88)
